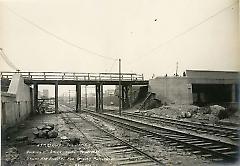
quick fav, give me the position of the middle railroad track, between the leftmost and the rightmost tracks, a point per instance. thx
(216, 150)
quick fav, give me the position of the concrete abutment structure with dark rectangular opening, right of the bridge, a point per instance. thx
(197, 87)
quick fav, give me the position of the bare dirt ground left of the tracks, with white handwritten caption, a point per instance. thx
(52, 151)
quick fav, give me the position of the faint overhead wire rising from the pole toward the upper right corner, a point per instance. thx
(184, 32)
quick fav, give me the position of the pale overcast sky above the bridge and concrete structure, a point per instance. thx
(150, 36)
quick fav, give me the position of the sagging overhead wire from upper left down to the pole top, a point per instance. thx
(58, 37)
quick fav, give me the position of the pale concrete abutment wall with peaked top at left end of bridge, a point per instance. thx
(16, 103)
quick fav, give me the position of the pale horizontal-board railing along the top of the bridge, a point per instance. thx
(75, 76)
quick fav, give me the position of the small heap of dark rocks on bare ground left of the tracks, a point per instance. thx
(45, 131)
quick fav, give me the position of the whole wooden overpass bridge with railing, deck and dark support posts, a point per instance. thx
(125, 80)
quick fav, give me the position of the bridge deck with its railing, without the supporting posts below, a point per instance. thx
(68, 78)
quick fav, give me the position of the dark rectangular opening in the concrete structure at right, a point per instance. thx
(205, 94)
